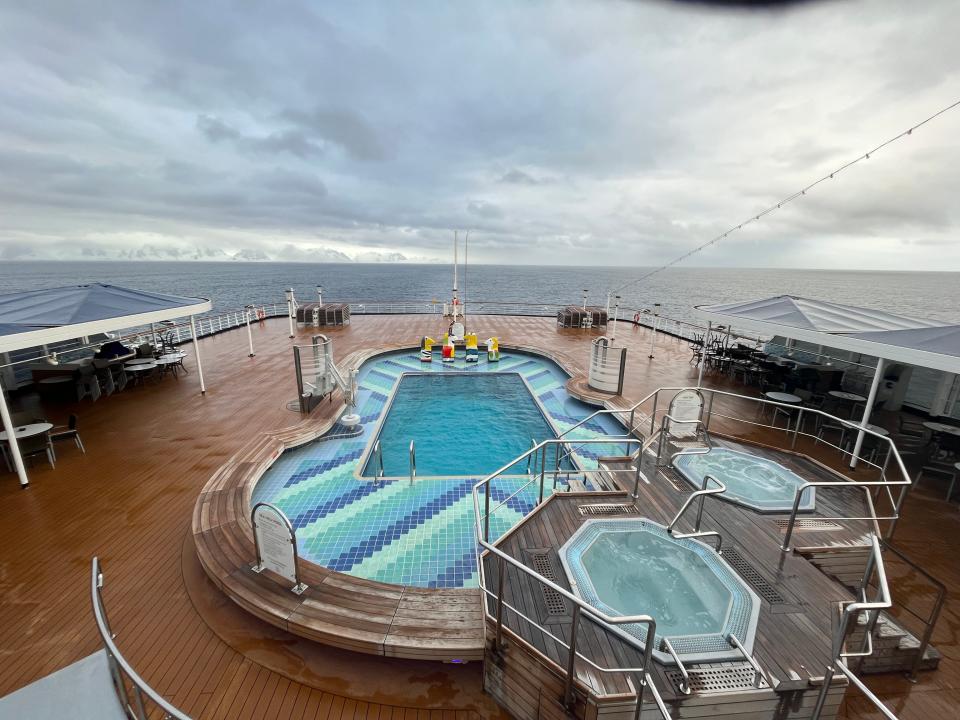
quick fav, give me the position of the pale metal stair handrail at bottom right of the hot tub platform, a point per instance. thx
(882, 601)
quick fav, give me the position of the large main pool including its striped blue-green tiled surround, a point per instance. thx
(421, 534)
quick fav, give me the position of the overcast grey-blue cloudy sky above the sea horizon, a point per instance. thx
(601, 132)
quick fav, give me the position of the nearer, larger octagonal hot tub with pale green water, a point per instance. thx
(635, 567)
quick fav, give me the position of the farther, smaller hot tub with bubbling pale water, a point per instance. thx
(752, 481)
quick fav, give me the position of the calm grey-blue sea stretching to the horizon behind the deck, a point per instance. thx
(233, 284)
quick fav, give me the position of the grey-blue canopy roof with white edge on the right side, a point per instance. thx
(898, 338)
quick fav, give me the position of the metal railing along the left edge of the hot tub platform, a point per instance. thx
(639, 677)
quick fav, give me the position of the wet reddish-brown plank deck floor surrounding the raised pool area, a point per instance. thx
(152, 448)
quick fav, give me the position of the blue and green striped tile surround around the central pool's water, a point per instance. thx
(419, 534)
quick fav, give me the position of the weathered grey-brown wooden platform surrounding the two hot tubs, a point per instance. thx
(798, 601)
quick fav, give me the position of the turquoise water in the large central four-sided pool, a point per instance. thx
(460, 424)
